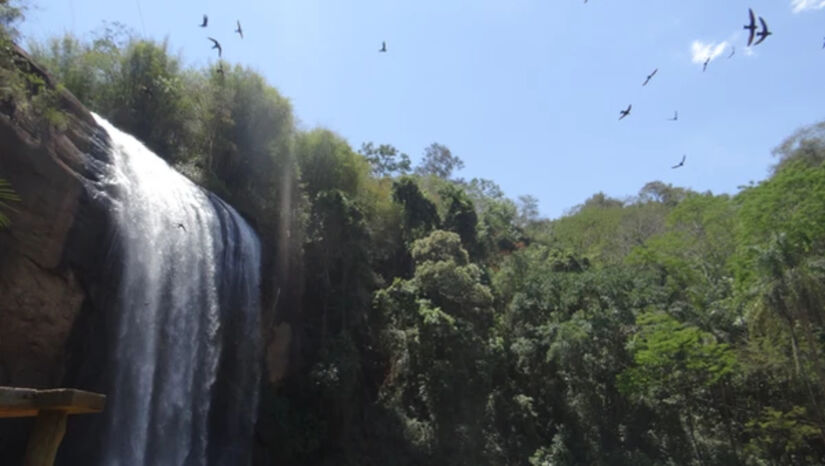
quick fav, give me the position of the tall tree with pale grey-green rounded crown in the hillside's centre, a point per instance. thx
(437, 326)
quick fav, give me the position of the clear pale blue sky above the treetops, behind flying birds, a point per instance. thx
(526, 92)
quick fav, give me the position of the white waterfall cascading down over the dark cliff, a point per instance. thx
(186, 338)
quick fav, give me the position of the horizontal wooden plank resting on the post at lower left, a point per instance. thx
(27, 402)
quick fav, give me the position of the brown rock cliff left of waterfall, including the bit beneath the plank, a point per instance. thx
(49, 255)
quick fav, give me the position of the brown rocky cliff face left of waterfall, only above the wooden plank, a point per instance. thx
(50, 249)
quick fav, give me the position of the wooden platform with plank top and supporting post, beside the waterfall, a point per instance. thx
(51, 407)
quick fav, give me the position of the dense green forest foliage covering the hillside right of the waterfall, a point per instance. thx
(435, 321)
